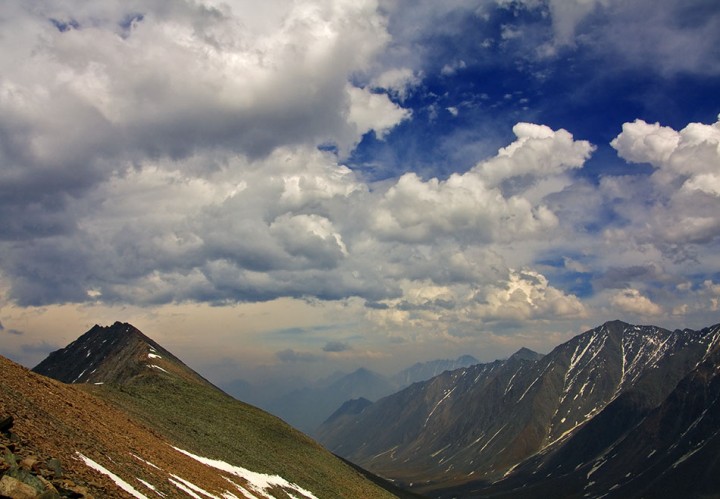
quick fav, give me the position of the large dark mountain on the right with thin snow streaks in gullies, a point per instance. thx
(583, 419)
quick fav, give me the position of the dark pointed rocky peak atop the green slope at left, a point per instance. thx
(112, 354)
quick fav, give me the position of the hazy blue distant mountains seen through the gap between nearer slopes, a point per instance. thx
(307, 407)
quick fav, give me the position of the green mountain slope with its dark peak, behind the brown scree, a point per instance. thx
(138, 377)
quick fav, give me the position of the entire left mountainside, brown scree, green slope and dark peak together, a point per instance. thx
(129, 419)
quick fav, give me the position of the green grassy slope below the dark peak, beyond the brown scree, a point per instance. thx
(210, 423)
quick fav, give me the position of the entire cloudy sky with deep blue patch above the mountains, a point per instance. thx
(294, 187)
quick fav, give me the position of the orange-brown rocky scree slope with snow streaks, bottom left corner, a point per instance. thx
(54, 423)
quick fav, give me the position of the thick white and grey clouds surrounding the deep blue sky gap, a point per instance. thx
(201, 152)
